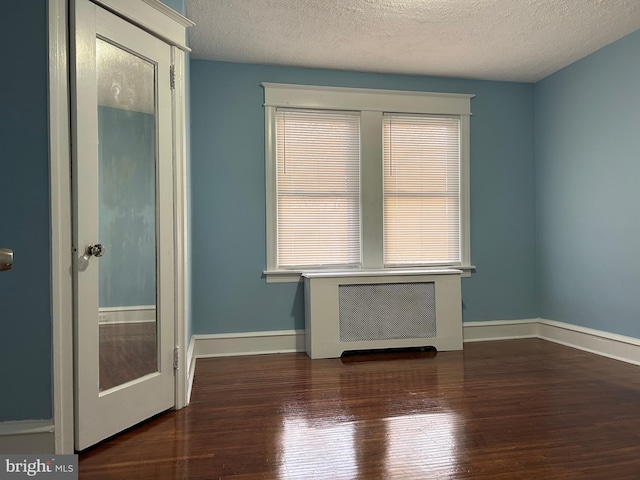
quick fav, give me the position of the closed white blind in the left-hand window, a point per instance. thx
(318, 188)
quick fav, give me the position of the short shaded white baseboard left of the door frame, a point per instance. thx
(27, 437)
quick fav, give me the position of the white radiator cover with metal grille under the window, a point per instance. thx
(361, 310)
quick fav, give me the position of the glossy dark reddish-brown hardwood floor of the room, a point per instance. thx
(514, 409)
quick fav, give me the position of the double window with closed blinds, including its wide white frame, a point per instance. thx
(360, 178)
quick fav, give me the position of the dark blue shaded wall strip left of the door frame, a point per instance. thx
(25, 318)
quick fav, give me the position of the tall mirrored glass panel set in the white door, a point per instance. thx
(127, 215)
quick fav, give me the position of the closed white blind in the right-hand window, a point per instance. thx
(421, 190)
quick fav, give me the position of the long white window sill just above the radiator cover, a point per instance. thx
(291, 276)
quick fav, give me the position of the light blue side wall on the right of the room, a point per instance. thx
(588, 166)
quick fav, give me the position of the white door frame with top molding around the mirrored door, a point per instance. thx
(170, 26)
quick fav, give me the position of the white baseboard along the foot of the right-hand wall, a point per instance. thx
(612, 345)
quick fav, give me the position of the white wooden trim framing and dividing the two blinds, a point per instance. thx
(372, 103)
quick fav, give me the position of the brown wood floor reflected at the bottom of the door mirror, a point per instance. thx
(127, 352)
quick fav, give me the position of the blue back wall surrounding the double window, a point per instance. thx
(228, 192)
